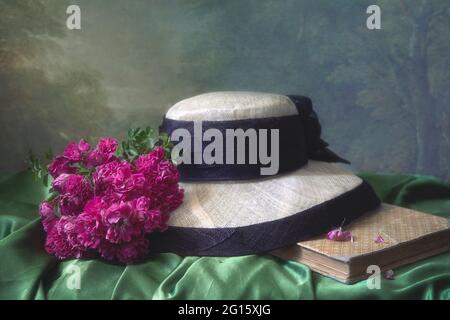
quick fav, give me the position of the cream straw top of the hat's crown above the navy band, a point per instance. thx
(232, 105)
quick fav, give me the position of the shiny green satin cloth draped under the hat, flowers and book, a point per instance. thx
(28, 272)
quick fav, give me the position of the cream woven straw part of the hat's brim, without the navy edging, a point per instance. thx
(242, 203)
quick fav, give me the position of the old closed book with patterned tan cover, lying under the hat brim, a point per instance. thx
(408, 236)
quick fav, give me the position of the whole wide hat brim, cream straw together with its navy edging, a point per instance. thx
(233, 218)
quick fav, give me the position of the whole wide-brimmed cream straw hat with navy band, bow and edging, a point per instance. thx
(232, 209)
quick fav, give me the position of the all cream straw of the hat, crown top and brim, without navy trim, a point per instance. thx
(243, 203)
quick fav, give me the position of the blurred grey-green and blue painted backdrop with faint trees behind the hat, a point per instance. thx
(383, 95)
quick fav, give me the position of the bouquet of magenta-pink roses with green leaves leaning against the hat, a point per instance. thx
(107, 199)
